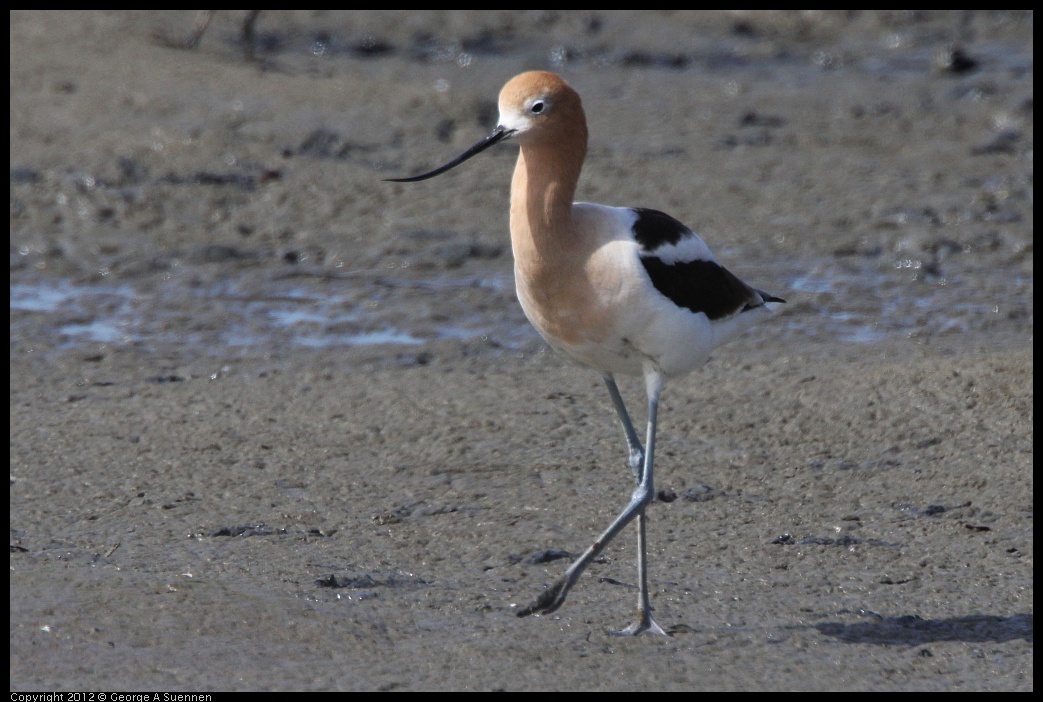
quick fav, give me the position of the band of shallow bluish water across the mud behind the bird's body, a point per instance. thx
(862, 304)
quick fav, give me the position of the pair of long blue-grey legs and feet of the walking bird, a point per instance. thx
(554, 597)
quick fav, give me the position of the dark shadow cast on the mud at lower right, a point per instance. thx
(913, 631)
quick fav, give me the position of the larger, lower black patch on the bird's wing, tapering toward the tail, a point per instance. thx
(704, 286)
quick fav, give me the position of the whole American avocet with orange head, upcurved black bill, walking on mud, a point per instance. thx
(623, 291)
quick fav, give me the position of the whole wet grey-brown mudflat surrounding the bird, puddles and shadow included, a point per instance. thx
(279, 425)
